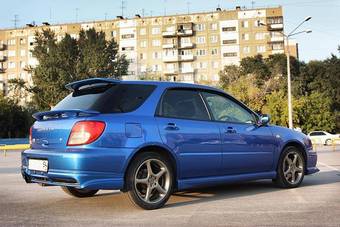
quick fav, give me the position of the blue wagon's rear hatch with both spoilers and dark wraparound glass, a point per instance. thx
(88, 98)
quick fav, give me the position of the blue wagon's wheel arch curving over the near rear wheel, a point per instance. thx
(157, 148)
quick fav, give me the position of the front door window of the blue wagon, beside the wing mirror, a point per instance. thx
(224, 109)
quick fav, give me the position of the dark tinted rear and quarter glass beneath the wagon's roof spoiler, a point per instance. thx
(107, 98)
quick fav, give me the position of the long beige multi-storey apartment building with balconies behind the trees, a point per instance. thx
(189, 47)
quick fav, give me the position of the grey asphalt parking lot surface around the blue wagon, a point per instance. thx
(315, 203)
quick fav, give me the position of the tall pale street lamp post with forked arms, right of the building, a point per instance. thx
(289, 91)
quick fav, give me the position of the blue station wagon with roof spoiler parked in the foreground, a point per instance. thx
(151, 138)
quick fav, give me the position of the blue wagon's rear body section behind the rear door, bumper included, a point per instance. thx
(97, 164)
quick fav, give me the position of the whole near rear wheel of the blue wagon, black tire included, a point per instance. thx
(138, 171)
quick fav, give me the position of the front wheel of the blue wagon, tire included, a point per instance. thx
(282, 180)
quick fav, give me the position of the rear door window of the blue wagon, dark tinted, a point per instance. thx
(187, 104)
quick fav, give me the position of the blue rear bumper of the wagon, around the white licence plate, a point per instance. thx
(81, 168)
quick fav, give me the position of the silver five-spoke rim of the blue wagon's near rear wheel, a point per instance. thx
(152, 181)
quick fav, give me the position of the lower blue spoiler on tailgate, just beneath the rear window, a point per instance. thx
(63, 114)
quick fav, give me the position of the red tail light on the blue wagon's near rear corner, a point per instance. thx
(85, 132)
